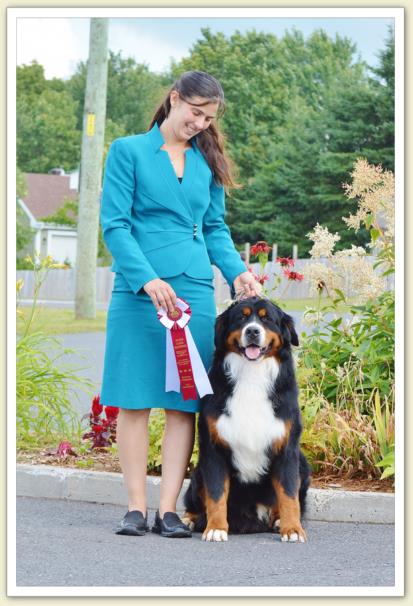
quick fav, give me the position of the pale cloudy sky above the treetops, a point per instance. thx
(59, 44)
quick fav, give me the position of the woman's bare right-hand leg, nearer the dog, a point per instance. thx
(177, 445)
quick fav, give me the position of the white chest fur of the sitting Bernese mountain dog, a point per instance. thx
(248, 424)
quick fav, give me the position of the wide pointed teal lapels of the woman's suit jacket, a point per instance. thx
(179, 202)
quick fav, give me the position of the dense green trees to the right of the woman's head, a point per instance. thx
(299, 112)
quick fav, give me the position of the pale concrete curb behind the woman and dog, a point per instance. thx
(326, 505)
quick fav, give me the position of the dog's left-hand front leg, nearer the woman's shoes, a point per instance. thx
(216, 489)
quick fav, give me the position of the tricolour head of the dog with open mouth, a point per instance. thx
(254, 328)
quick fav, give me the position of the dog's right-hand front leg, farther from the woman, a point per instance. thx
(286, 481)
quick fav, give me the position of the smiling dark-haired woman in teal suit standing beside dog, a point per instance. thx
(162, 217)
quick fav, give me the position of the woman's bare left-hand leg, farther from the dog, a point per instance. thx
(132, 440)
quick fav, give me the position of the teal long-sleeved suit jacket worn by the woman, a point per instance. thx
(156, 227)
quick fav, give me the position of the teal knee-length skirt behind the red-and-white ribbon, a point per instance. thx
(135, 351)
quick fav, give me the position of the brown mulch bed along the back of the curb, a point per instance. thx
(104, 461)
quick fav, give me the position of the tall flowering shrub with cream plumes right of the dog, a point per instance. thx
(346, 365)
